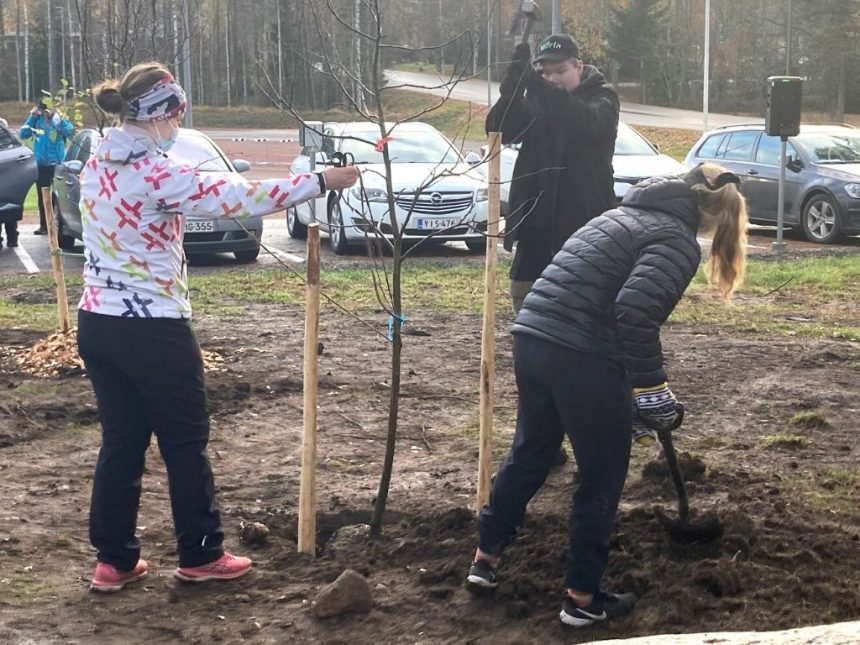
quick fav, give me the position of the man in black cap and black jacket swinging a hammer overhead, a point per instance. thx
(566, 118)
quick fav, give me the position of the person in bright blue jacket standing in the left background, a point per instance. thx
(50, 130)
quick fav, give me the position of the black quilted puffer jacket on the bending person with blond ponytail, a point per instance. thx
(618, 278)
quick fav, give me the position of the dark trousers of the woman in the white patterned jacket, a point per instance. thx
(147, 374)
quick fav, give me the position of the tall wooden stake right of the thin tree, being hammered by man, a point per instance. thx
(488, 335)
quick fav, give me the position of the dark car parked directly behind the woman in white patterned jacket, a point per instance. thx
(202, 236)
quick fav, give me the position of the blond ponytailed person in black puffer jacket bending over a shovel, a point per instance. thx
(587, 353)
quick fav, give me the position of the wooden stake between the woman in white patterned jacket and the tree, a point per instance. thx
(307, 488)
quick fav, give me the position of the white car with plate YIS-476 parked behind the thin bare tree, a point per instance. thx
(437, 194)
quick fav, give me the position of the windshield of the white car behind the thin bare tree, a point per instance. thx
(407, 146)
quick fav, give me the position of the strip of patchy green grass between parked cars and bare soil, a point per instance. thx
(814, 297)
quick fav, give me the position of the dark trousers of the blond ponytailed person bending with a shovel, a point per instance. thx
(586, 397)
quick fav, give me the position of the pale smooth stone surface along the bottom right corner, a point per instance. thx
(837, 634)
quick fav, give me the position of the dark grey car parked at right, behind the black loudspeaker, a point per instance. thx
(822, 177)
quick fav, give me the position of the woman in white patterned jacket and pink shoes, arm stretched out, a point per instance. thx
(134, 331)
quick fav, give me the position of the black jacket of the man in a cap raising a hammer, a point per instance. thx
(565, 162)
